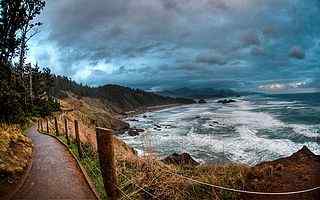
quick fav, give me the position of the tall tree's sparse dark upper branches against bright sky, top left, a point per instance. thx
(17, 19)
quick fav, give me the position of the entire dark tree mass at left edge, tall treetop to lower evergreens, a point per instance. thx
(24, 89)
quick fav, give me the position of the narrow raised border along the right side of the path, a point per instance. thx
(86, 176)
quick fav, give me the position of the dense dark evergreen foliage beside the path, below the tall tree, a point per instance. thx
(19, 101)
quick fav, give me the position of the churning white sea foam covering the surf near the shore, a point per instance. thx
(194, 129)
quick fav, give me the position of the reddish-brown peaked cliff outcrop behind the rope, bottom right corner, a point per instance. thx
(300, 171)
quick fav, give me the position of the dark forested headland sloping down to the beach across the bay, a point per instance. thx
(115, 97)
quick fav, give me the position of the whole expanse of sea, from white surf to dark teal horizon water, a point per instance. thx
(254, 129)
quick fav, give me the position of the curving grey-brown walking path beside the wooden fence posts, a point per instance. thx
(54, 173)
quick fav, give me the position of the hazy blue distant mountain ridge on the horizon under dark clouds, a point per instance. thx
(200, 93)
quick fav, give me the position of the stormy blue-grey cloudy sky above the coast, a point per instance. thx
(269, 45)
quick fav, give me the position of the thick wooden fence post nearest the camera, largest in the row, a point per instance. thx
(106, 157)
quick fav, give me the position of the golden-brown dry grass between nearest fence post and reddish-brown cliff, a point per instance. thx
(161, 182)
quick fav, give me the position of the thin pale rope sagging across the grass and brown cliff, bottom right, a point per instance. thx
(244, 191)
